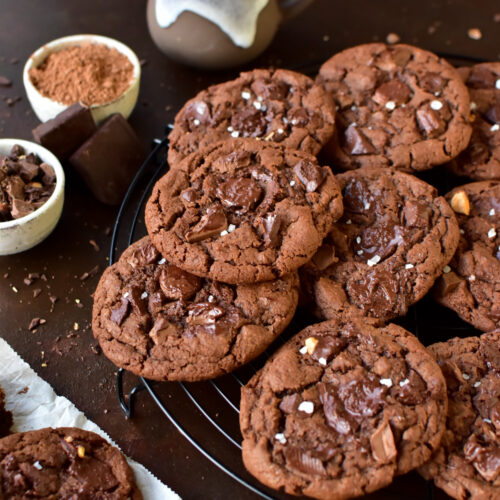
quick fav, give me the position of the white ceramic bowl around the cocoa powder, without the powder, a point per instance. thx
(46, 108)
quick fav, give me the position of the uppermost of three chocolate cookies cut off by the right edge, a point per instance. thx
(481, 160)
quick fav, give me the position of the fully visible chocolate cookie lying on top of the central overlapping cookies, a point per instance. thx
(243, 211)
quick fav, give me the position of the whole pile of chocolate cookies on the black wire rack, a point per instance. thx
(247, 208)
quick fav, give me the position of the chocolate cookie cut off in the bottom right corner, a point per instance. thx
(467, 465)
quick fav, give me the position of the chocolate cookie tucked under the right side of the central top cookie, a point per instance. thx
(394, 239)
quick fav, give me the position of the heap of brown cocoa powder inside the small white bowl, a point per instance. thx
(88, 73)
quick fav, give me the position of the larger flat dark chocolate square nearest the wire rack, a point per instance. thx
(109, 159)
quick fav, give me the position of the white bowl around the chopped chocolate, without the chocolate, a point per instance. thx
(21, 234)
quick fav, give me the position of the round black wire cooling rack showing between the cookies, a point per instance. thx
(429, 321)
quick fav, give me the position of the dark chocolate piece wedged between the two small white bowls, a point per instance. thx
(65, 133)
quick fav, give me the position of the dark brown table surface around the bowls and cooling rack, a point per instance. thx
(63, 351)
